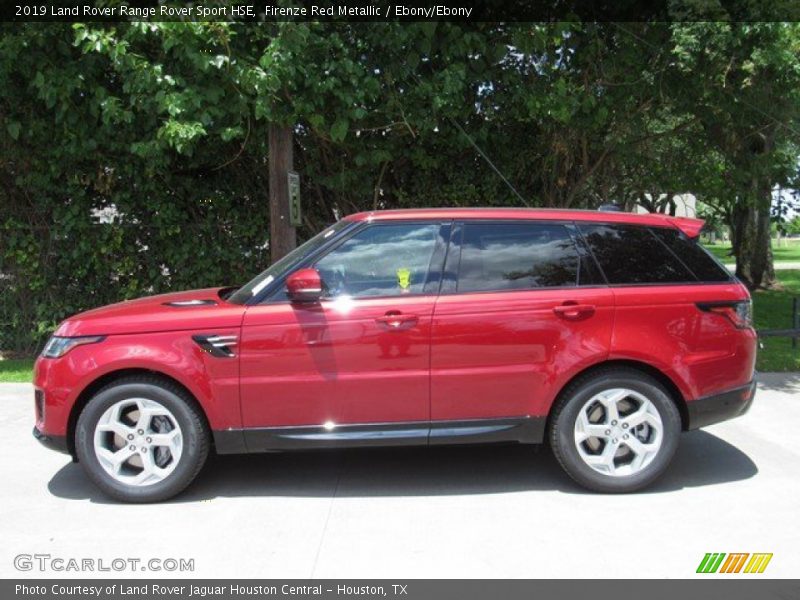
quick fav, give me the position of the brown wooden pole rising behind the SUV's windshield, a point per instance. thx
(282, 238)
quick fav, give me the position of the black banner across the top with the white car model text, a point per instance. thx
(397, 10)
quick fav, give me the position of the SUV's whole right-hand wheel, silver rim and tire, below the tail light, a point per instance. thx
(615, 430)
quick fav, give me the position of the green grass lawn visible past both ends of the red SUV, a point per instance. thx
(771, 310)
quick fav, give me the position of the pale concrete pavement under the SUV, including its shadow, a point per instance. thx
(448, 512)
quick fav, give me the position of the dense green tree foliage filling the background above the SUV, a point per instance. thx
(133, 155)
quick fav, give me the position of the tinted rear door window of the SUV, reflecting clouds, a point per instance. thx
(516, 256)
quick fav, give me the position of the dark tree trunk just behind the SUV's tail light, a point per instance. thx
(751, 240)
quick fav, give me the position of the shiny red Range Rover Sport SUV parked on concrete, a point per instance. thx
(602, 334)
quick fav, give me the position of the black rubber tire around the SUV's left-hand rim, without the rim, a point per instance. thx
(196, 438)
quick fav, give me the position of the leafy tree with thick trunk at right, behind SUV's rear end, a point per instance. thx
(749, 104)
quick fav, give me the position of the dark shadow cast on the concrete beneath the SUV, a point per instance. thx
(702, 459)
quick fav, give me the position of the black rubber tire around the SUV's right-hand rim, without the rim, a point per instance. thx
(568, 407)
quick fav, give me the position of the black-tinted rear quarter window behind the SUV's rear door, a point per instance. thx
(631, 254)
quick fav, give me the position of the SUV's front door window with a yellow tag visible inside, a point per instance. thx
(381, 260)
